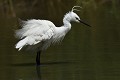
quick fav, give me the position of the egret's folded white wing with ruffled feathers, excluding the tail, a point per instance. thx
(36, 31)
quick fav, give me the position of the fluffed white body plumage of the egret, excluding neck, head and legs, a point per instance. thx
(39, 31)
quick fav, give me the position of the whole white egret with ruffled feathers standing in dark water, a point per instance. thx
(38, 35)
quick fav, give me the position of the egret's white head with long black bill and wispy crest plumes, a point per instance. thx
(72, 16)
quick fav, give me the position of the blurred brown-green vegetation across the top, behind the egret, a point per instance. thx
(50, 9)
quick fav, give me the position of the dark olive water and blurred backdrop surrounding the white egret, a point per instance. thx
(85, 53)
